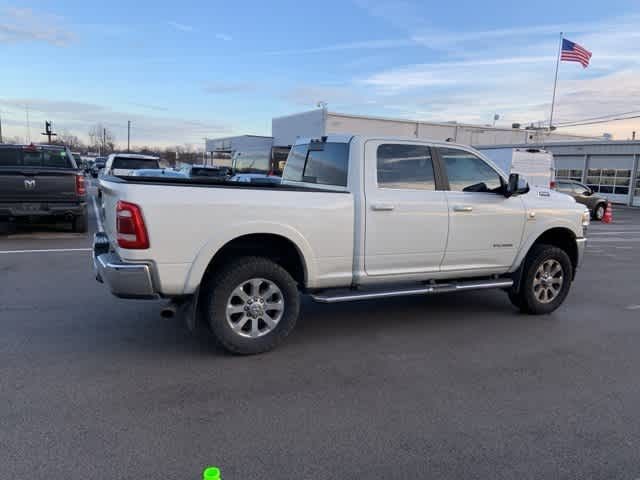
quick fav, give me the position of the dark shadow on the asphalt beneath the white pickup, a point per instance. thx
(321, 326)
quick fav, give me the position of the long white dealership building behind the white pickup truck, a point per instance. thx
(607, 166)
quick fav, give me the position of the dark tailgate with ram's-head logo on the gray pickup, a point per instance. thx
(37, 184)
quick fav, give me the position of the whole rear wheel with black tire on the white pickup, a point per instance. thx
(252, 304)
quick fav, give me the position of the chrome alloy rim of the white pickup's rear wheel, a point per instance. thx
(255, 307)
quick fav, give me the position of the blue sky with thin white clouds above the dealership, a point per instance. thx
(185, 70)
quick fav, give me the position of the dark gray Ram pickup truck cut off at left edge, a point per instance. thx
(41, 181)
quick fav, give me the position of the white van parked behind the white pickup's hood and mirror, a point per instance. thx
(536, 165)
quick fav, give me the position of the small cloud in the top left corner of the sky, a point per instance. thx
(25, 25)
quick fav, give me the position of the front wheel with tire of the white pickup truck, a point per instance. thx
(546, 280)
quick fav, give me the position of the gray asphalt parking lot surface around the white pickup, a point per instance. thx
(455, 386)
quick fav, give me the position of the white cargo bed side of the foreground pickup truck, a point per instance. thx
(189, 220)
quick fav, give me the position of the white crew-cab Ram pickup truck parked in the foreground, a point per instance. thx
(355, 218)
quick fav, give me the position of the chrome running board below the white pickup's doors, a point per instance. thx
(354, 295)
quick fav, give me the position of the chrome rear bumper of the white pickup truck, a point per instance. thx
(125, 280)
